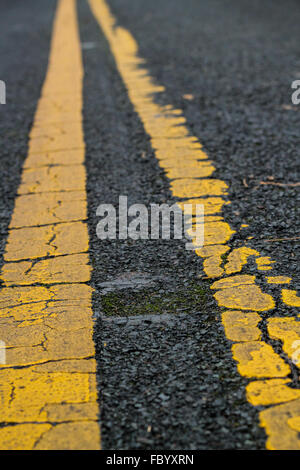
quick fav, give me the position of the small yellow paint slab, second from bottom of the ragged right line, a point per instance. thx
(270, 392)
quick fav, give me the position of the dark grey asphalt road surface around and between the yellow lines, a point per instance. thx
(165, 370)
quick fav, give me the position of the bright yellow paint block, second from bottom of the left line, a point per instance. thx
(59, 394)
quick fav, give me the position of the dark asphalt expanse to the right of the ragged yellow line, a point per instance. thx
(238, 59)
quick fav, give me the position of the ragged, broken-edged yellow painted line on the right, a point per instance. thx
(190, 171)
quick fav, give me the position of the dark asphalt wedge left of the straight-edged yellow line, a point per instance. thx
(25, 33)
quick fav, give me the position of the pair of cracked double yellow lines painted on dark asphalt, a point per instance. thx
(46, 304)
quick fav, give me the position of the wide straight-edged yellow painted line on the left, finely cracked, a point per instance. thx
(48, 382)
